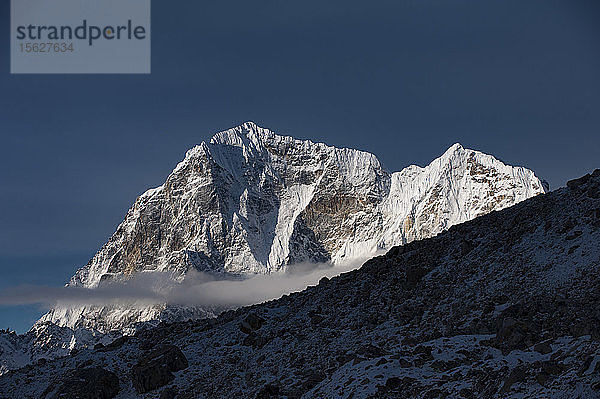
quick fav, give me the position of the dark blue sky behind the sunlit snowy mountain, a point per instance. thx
(402, 79)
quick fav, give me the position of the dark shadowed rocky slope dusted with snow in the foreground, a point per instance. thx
(506, 305)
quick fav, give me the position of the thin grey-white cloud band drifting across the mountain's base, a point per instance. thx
(195, 289)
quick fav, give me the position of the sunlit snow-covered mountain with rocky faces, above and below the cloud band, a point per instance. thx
(251, 201)
